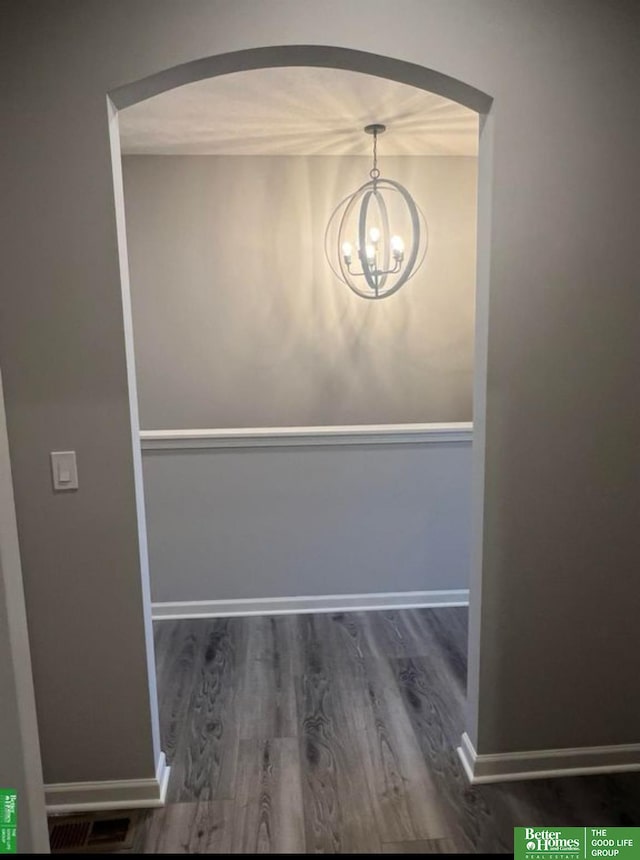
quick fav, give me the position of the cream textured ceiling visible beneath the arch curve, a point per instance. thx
(297, 111)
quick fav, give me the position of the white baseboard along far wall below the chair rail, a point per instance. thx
(296, 605)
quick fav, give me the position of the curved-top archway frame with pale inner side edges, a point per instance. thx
(371, 64)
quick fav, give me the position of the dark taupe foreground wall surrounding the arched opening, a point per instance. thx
(560, 546)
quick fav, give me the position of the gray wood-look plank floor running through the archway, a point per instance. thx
(337, 734)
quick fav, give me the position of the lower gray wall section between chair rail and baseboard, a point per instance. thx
(287, 522)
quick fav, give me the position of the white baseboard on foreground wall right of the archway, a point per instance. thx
(546, 764)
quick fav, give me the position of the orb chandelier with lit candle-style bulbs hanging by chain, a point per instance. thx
(360, 246)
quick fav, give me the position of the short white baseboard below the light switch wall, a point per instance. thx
(68, 797)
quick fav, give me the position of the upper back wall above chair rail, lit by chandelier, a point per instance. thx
(239, 322)
